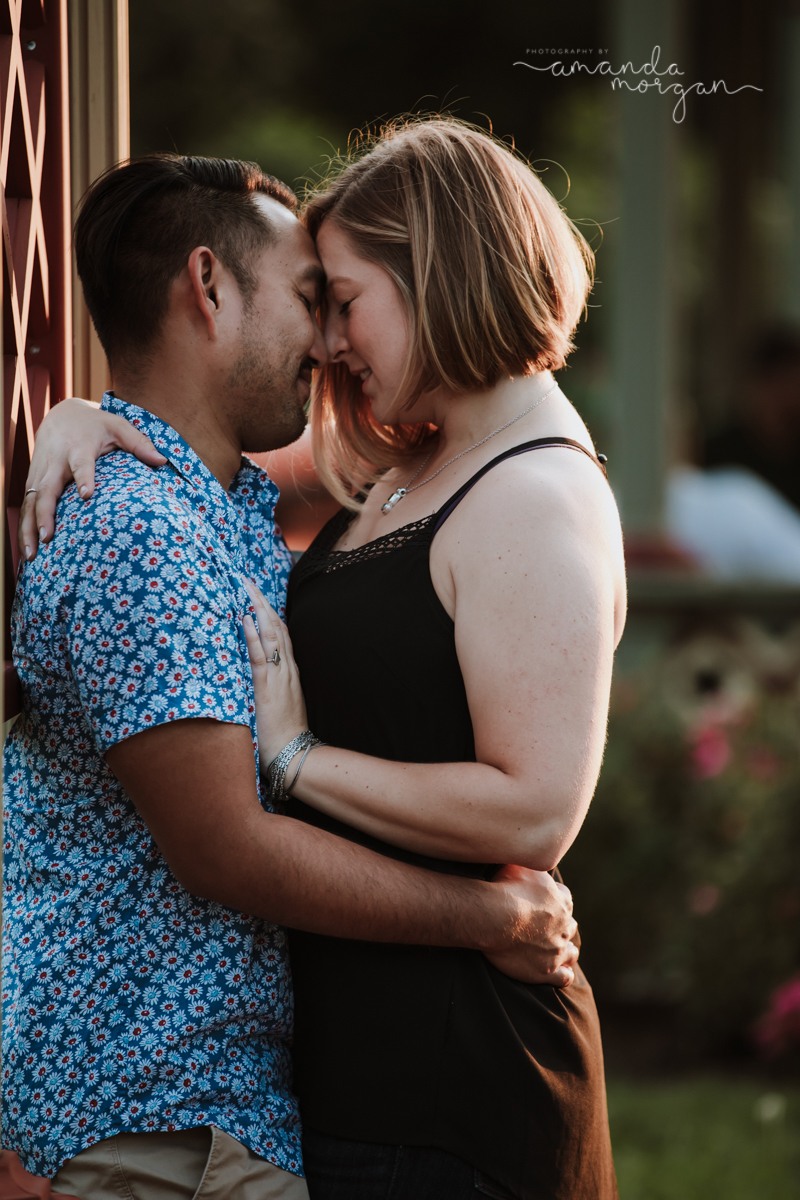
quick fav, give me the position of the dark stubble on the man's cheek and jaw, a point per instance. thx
(263, 392)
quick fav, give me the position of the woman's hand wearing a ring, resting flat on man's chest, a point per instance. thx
(280, 705)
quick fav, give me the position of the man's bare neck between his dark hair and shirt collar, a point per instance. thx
(182, 404)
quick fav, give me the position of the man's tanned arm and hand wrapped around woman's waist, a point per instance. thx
(194, 783)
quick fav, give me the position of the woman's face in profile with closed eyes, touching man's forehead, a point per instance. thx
(368, 322)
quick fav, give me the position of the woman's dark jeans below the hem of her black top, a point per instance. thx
(338, 1169)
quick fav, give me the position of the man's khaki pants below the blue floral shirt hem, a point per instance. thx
(190, 1165)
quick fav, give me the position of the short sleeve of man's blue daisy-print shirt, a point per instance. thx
(151, 616)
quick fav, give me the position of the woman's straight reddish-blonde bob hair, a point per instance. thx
(494, 274)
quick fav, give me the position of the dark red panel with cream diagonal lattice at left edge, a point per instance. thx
(35, 223)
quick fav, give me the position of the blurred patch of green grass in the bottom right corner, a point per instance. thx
(706, 1139)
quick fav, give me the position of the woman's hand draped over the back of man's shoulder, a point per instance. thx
(70, 440)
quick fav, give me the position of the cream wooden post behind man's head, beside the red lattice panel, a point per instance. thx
(101, 137)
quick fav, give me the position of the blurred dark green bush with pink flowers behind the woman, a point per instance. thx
(685, 875)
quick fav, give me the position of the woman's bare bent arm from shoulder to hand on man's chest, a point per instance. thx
(537, 611)
